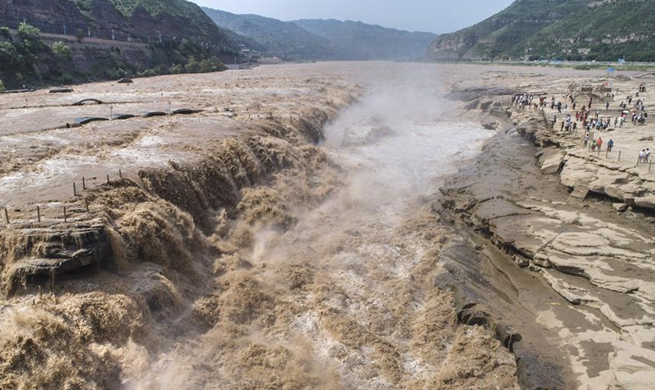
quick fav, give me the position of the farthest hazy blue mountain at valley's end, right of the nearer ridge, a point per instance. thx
(360, 41)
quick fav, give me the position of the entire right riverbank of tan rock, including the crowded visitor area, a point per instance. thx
(577, 222)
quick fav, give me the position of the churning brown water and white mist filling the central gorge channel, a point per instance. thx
(344, 299)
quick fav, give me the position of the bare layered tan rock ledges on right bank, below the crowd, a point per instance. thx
(598, 256)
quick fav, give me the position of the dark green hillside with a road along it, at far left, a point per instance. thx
(84, 40)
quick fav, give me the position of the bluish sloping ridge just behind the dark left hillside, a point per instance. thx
(282, 39)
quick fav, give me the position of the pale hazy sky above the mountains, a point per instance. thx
(414, 15)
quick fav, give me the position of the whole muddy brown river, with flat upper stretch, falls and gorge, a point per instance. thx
(297, 228)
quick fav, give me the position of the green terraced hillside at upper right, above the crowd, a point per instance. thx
(557, 29)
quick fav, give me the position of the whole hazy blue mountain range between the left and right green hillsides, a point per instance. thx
(325, 39)
